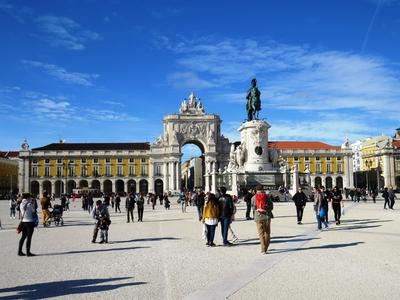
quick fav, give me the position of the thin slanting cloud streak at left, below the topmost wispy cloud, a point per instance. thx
(60, 73)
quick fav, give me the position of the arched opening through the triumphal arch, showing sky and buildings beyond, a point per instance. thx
(192, 166)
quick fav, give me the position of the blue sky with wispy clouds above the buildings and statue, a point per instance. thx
(108, 71)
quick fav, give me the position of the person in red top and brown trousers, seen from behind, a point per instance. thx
(263, 207)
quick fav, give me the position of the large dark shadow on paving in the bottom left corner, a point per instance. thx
(64, 288)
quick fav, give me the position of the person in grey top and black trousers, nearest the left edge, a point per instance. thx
(27, 208)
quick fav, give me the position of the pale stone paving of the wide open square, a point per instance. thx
(165, 258)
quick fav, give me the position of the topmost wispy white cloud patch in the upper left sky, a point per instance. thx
(65, 32)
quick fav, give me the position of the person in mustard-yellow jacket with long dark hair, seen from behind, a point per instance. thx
(210, 218)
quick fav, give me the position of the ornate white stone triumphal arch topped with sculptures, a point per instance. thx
(191, 125)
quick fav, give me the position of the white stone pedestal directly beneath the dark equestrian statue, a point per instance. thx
(254, 139)
